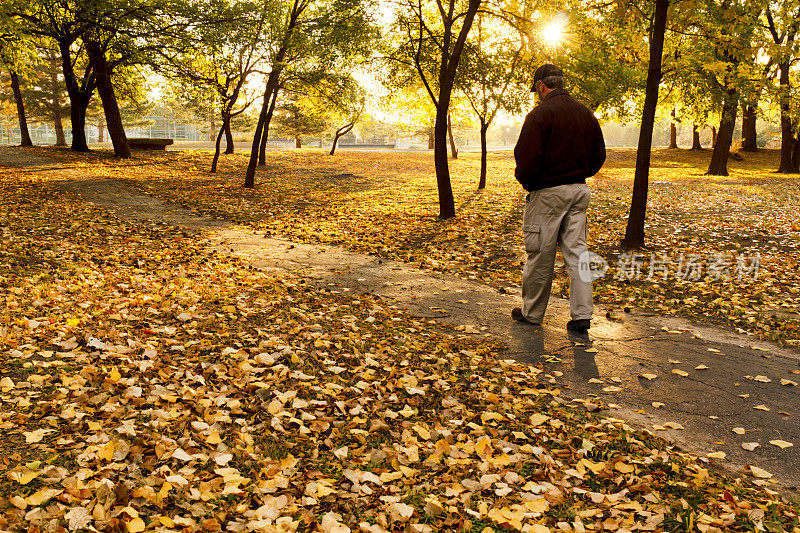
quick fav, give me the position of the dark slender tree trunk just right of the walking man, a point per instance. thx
(634, 232)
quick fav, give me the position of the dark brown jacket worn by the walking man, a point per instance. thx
(560, 142)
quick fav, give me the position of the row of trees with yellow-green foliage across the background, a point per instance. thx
(697, 61)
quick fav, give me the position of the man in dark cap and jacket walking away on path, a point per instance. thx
(560, 145)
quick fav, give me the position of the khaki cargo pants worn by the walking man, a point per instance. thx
(556, 215)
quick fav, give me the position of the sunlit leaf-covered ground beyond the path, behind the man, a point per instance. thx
(386, 203)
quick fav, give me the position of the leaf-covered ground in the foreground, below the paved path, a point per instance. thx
(146, 384)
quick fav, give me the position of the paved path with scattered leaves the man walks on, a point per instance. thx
(708, 380)
